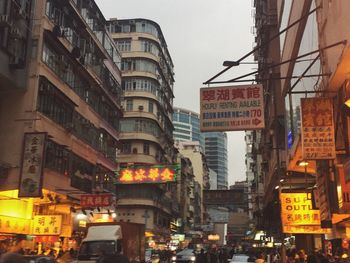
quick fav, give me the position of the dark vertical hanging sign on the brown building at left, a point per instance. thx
(30, 182)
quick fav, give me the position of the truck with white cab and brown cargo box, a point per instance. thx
(125, 238)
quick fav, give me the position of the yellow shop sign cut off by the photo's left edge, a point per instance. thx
(14, 225)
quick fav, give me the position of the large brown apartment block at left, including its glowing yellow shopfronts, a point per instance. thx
(59, 117)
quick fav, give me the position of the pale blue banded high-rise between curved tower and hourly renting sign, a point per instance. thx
(186, 124)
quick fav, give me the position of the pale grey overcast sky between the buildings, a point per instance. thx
(200, 35)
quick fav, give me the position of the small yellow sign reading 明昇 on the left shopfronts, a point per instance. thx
(47, 225)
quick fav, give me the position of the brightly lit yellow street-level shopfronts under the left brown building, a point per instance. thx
(51, 222)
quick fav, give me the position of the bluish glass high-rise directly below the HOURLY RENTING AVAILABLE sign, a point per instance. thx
(216, 155)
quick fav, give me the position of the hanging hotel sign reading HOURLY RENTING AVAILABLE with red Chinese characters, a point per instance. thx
(232, 108)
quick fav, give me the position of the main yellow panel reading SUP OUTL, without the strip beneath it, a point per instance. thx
(296, 209)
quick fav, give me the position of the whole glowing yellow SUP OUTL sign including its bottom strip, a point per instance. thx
(297, 213)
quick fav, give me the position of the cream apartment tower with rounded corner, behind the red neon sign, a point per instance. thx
(146, 130)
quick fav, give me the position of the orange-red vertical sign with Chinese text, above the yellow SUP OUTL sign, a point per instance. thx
(317, 130)
